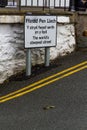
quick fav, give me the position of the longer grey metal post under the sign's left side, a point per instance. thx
(28, 62)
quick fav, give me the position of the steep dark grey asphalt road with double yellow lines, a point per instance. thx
(58, 102)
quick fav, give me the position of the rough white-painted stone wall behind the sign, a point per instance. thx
(12, 52)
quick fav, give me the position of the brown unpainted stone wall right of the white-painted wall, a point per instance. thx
(81, 25)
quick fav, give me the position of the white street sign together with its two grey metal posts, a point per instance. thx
(40, 31)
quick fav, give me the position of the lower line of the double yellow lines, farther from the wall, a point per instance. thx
(41, 85)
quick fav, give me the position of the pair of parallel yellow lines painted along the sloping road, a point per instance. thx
(44, 82)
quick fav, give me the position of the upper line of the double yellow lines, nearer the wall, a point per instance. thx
(43, 80)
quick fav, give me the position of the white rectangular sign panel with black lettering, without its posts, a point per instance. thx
(40, 31)
